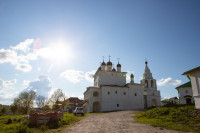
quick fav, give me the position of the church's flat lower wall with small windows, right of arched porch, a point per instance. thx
(126, 102)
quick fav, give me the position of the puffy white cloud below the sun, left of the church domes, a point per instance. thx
(73, 76)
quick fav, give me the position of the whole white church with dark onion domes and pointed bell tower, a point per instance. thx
(111, 92)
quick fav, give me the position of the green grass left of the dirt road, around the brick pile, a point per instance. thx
(16, 124)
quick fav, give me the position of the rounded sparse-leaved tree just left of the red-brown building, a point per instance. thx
(57, 99)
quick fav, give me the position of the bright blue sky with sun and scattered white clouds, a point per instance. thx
(52, 44)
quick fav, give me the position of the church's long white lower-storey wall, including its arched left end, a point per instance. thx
(116, 98)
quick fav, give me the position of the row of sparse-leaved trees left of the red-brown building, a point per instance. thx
(25, 102)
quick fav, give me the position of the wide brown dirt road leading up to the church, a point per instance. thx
(113, 122)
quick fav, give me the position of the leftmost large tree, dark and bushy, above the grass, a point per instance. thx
(24, 102)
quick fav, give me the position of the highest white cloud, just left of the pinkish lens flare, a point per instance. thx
(23, 46)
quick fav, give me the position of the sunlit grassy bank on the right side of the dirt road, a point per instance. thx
(176, 118)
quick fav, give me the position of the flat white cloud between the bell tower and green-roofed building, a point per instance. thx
(168, 81)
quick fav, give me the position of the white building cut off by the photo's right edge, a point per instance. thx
(194, 75)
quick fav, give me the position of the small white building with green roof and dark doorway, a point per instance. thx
(185, 93)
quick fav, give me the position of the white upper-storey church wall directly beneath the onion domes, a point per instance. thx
(110, 78)
